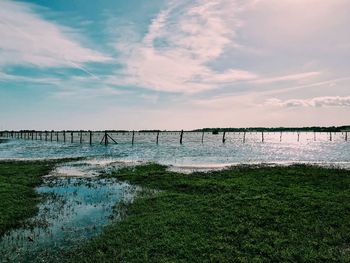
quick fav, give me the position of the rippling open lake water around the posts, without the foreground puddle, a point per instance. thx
(309, 148)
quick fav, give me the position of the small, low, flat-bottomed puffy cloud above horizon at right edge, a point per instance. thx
(330, 101)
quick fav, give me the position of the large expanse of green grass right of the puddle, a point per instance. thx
(244, 214)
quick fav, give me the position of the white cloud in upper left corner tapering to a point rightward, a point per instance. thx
(27, 38)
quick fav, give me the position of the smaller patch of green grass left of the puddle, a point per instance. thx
(18, 198)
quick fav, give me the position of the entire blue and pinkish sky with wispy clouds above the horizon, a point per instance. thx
(182, 64)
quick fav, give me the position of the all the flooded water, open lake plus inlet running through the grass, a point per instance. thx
(78, 207)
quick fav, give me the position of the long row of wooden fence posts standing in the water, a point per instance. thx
(106, 139)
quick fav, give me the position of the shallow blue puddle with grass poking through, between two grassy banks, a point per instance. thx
(73, 209)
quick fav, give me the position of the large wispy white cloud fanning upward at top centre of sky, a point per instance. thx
(180, 44)
